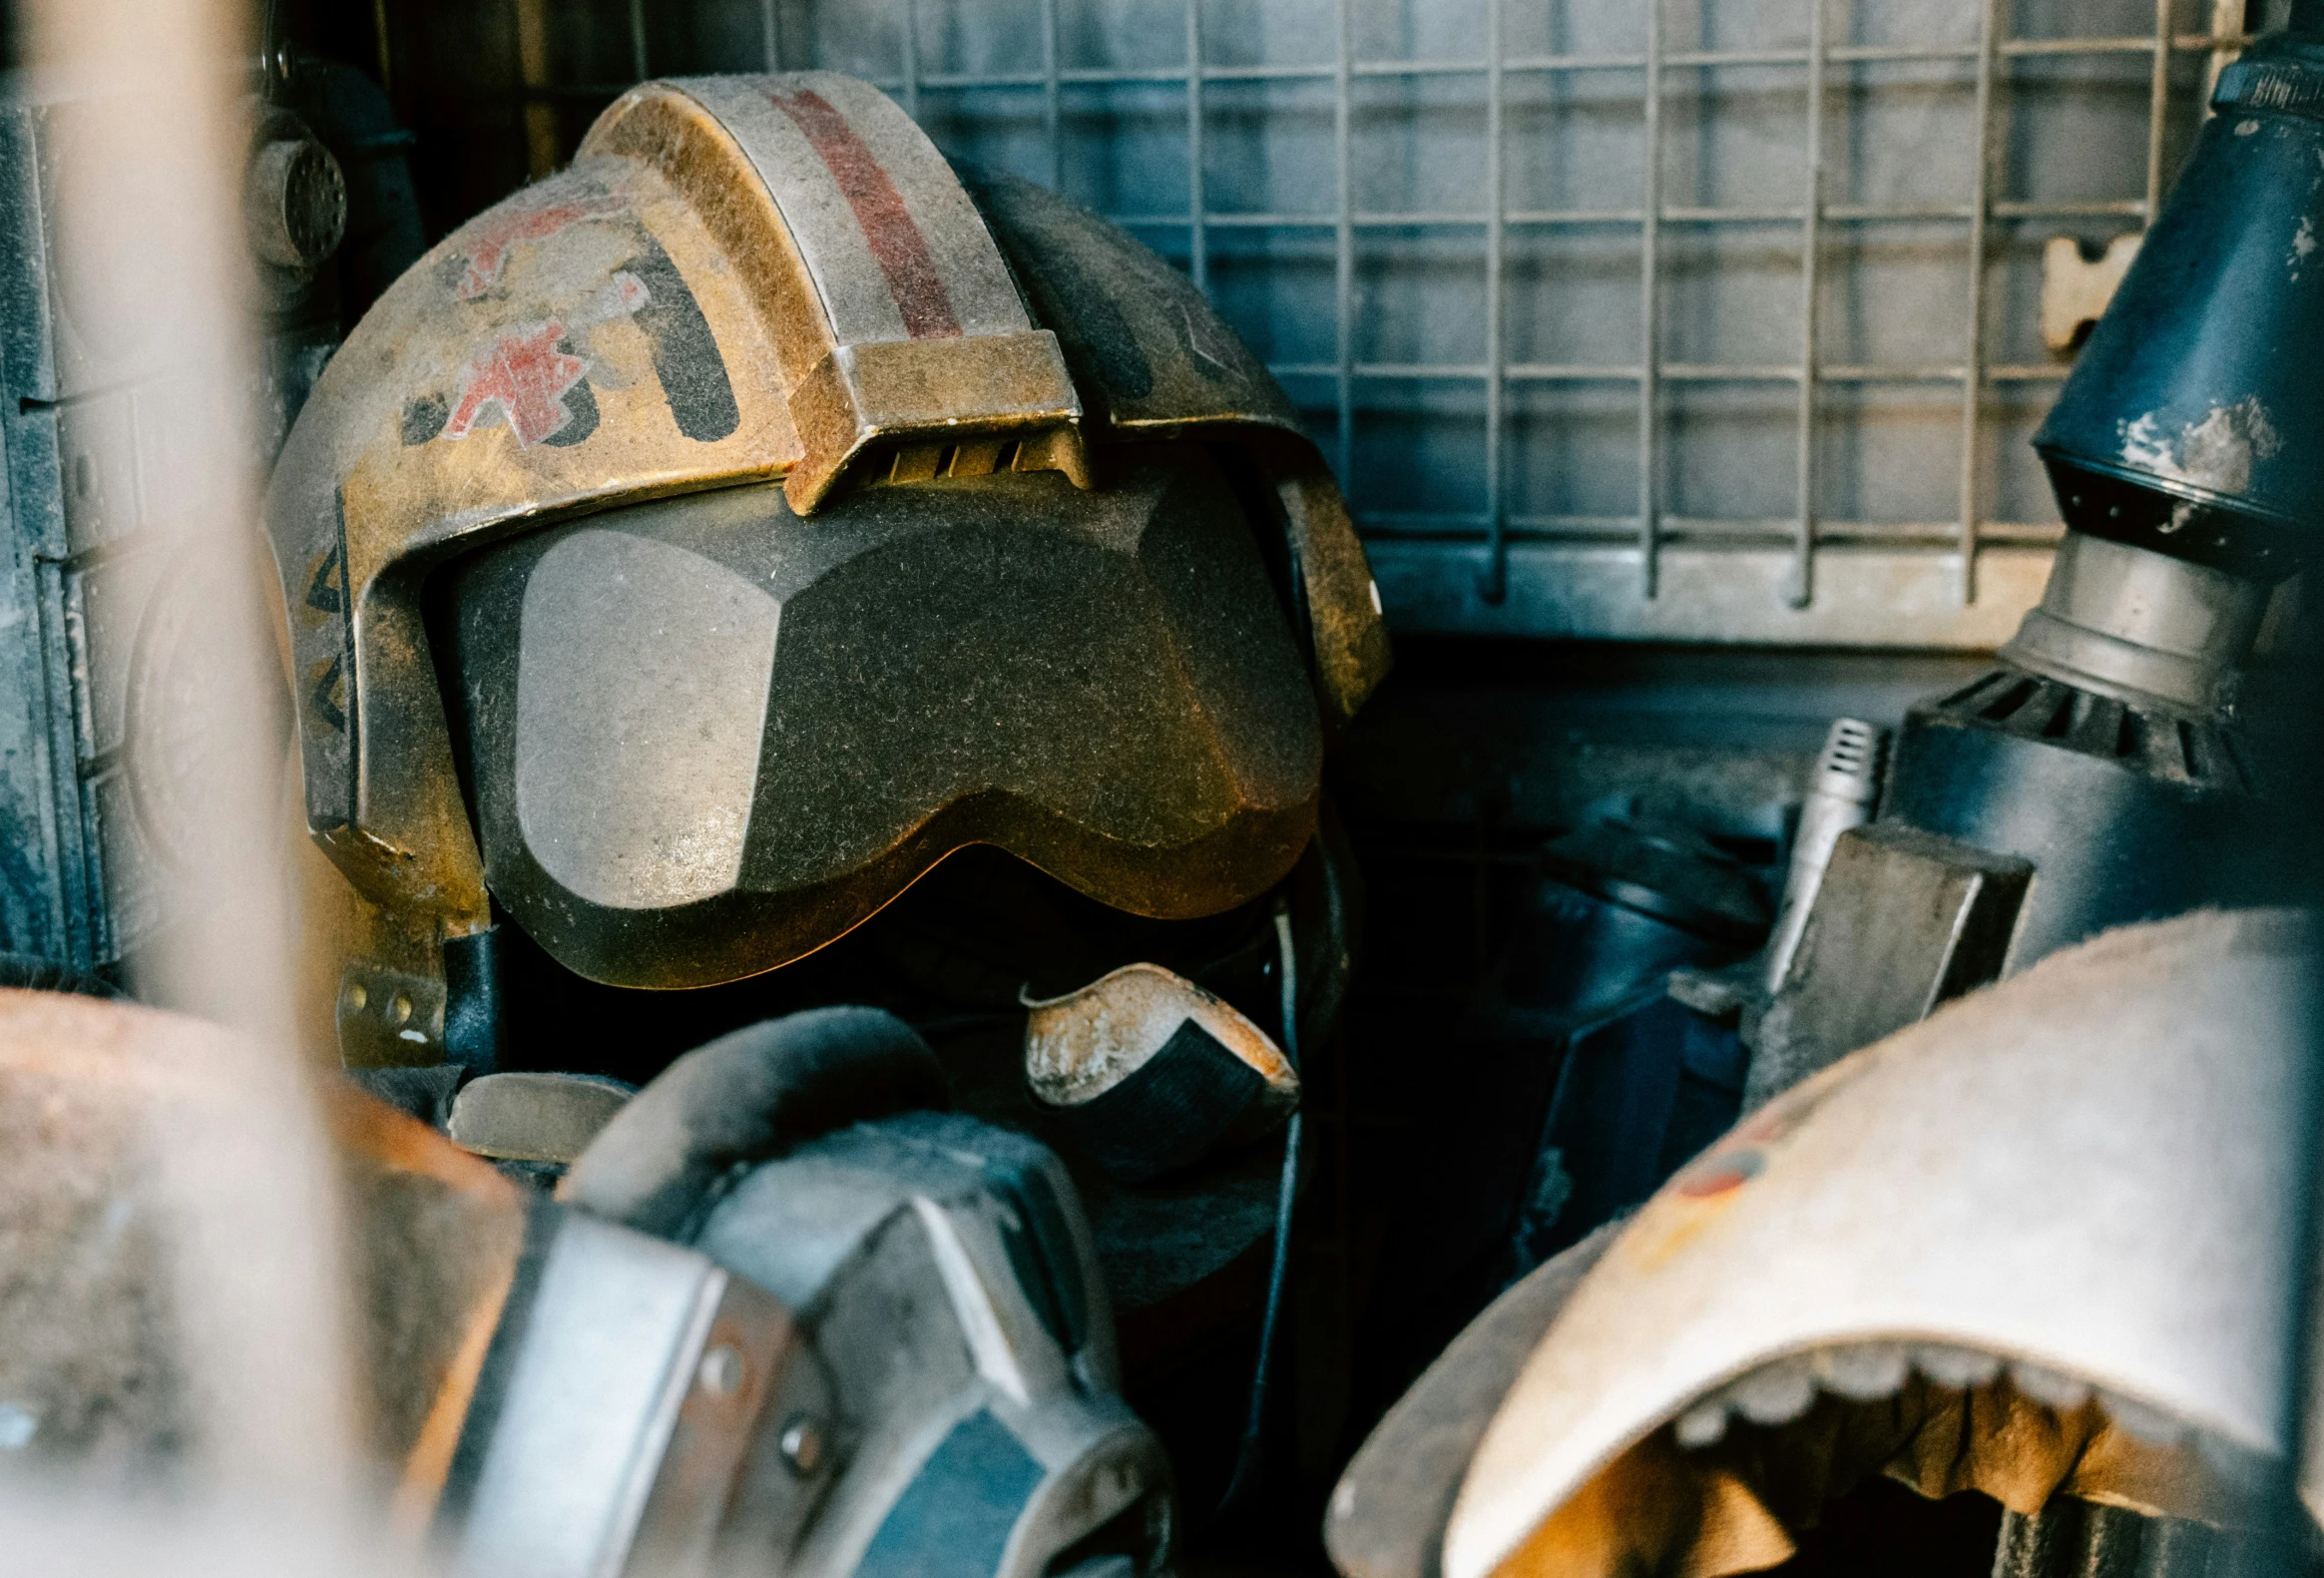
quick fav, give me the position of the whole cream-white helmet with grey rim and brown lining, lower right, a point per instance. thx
(2039, 1247)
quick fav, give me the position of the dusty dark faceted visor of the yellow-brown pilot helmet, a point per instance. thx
(705, 736)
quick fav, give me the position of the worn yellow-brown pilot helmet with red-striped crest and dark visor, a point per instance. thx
(708, 540)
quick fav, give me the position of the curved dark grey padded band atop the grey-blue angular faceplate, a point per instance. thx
(747, 1098)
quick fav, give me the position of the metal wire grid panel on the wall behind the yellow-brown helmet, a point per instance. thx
(1695, 320)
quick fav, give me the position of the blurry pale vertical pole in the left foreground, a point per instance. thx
(150, 131)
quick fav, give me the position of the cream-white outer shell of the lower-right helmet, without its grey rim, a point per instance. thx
(1932, 1170)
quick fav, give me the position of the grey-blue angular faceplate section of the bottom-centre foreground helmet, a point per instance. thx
(1000, 1442)
